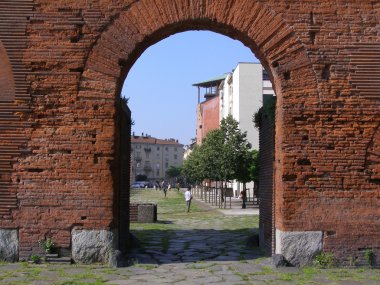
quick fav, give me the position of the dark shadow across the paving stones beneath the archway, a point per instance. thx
(194, 245)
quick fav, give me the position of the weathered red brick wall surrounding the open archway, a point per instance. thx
(72, 56)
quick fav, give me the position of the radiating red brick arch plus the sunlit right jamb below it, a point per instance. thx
(261, 29)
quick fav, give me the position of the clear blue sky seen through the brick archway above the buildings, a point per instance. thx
(159, 85)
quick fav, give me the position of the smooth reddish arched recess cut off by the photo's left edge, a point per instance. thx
(7, 84)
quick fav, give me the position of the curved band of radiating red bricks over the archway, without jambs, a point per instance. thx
(263, 30)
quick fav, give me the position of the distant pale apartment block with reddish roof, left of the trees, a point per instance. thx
(152, 156)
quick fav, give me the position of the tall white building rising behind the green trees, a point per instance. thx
(241, 95)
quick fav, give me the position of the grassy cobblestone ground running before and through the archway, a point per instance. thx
(205, 246)
